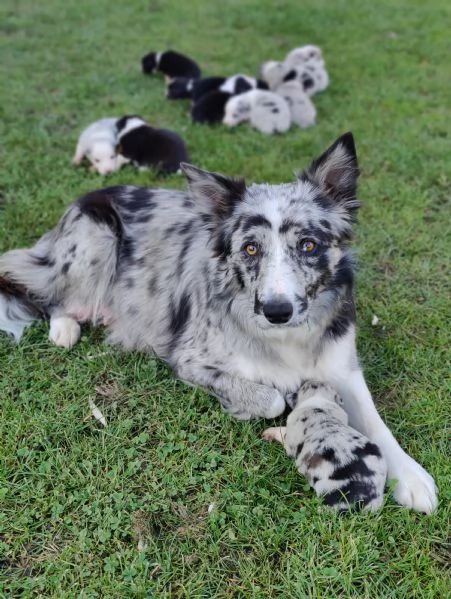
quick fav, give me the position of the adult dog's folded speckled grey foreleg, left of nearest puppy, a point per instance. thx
(242, 398)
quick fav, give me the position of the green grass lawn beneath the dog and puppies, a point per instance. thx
(75, 498)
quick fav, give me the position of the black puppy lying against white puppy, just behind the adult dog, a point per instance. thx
(146, 147)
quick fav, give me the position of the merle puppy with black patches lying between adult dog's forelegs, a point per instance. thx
(341, 464)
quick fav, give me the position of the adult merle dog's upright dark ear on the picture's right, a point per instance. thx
(336, 172)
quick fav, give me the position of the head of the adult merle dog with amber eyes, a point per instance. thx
(282, 249)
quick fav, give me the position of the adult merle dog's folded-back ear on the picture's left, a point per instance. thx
(213, 193)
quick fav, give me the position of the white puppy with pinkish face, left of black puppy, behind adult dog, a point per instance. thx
(97, 143)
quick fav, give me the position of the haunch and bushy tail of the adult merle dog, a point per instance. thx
(69, 271)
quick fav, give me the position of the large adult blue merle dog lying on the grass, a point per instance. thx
(245, 290)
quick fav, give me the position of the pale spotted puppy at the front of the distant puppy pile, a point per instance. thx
(265, 110)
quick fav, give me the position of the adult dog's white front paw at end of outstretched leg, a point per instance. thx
(415, 488)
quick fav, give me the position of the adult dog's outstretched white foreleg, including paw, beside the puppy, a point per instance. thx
(414, 488)
